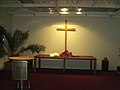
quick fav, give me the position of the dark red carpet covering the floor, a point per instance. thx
(69, 80)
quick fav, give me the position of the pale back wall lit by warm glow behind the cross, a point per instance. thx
(96, 36)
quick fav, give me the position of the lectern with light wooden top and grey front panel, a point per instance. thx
(19, 70)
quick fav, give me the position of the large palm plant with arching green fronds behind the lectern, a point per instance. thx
(14, 44)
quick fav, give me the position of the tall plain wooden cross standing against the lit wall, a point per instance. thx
(66, 29)
